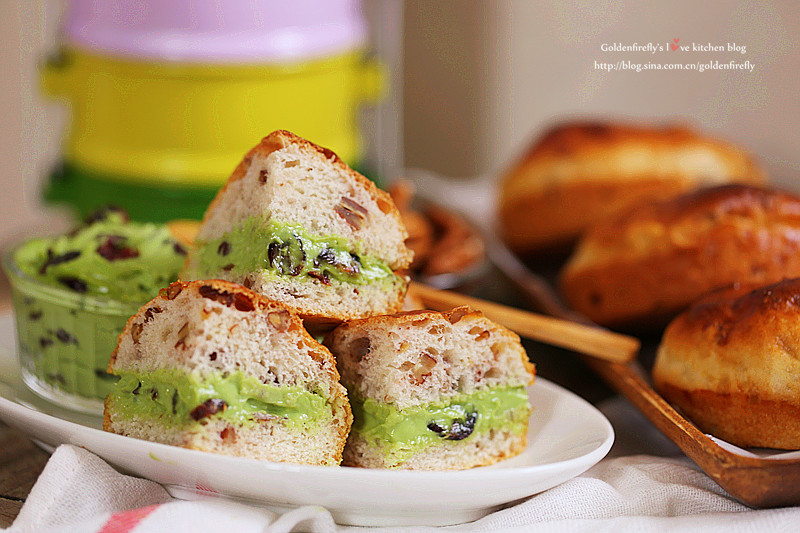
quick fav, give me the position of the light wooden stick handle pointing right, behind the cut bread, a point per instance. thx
(589, 340)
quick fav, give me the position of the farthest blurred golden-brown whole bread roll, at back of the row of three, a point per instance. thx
(580, 172)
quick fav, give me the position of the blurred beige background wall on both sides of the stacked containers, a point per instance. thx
(476, 81)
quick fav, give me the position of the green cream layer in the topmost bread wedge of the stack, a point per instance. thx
(259, 245)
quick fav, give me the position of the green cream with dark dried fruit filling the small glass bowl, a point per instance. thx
(73, 294)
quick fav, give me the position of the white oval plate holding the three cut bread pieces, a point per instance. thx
(567, 436)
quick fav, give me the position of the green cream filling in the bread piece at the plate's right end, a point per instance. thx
(401, 433)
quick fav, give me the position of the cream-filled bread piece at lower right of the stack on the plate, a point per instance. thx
(433, 391)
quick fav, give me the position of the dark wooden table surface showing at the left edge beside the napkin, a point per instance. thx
(21, 461)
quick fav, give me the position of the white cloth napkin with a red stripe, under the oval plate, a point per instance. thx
(78, 492)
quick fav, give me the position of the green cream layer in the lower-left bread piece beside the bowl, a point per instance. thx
(176, 398)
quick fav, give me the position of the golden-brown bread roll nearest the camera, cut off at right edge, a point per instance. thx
(730, 363)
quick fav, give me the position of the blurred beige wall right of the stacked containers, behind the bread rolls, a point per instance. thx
(482, 78)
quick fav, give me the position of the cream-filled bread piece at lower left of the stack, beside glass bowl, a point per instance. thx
(213, 366)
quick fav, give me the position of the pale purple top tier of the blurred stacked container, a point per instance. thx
(216, 30)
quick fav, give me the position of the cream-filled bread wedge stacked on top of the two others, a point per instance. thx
(298, 225)
